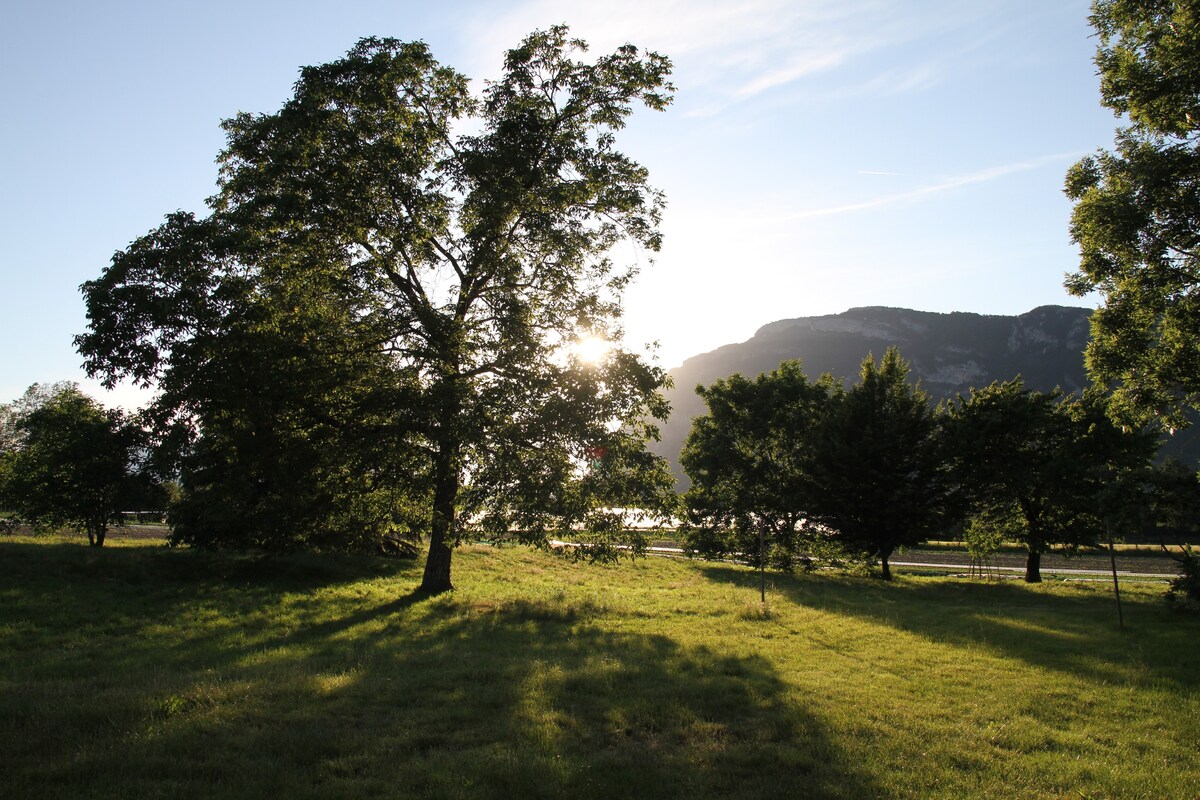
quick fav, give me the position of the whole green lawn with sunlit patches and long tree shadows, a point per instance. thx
(143, 672)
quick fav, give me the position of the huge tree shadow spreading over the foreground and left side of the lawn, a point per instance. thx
(413, 697)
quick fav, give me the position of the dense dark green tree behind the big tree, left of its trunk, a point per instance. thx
(297, 435)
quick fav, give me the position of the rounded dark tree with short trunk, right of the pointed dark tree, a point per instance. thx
(1047, 470)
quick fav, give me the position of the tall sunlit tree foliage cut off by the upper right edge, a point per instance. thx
(1137, 215)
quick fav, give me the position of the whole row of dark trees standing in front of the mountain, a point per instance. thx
(784, 468)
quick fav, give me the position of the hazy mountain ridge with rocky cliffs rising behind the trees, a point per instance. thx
(950, 354)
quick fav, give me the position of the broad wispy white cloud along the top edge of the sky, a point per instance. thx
(728, 53)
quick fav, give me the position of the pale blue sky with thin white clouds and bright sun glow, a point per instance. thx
(819, 155)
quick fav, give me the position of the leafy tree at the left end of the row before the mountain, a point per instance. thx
(751, 462)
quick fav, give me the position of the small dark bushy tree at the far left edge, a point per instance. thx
(76, 465)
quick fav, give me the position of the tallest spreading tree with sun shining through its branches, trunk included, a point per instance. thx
(470, 239)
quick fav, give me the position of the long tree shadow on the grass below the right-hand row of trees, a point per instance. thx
(1073, 634)
